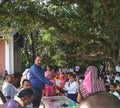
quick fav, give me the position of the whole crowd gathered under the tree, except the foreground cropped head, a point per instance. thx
(36, 83)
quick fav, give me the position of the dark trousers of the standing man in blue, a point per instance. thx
(38, 96)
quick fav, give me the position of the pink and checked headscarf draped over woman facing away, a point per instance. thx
(91, 84)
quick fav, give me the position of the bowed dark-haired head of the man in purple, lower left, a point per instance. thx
(27, 96)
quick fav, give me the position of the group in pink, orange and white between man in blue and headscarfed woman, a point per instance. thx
(63, 84)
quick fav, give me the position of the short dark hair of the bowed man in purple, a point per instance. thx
(26, 93)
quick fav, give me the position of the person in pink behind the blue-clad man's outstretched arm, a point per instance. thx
(49, 89)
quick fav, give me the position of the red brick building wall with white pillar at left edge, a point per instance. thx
(10, 56)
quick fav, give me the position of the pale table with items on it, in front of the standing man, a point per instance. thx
(58, 102)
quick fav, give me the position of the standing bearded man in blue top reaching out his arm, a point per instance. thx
(38, 80)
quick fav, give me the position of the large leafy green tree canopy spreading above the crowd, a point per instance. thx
(90, 28)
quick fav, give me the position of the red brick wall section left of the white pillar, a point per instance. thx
(2, 57)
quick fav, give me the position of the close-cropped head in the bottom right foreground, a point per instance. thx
(100, 100)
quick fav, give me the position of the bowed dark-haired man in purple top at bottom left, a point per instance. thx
(24, 98)
